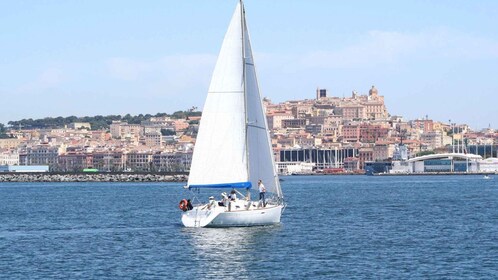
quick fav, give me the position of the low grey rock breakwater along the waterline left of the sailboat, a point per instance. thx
(98, 177)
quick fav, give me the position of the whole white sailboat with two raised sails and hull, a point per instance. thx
(233, 150)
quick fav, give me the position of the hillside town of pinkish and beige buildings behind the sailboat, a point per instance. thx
(323, 134)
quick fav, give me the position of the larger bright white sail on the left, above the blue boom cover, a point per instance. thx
(220, 155)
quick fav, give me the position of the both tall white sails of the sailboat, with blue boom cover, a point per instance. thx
(233, 147)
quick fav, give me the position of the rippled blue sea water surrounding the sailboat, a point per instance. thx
(437, 227)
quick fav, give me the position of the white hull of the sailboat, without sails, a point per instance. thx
(220, 217)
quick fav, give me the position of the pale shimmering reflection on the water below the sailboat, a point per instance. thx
(228, 252)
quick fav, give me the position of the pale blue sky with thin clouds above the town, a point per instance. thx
(435, 59)
